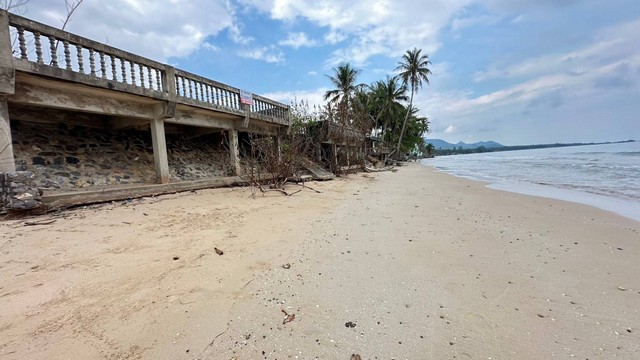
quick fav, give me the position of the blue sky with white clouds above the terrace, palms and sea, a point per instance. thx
(511, 71)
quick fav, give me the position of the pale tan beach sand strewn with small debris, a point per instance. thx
(414, 264)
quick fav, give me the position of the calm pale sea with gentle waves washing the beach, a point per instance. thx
(605, 176)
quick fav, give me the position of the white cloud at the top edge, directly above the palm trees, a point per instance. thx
(369, 28)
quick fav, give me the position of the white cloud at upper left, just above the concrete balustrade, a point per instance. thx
(151, 28)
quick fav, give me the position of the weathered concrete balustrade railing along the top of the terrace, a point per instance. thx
(45, 50)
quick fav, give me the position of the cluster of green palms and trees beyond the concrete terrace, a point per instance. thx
(382, 110)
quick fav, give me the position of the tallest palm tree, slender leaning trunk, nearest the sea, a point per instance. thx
(413, 71)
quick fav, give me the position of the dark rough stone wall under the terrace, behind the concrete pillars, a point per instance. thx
(65, 157)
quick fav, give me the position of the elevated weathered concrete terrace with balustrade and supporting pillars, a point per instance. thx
(42, 67)
